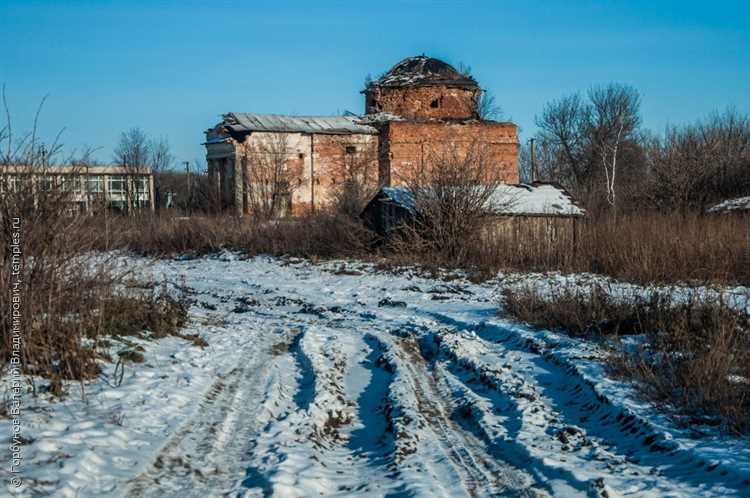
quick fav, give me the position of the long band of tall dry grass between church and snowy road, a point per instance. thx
(643, 248)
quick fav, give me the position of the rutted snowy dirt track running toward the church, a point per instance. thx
(346, 391)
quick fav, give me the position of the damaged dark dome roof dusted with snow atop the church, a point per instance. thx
(424, 71)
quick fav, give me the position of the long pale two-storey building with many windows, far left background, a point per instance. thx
(86, 189)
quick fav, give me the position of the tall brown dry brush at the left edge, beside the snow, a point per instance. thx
(71, 298)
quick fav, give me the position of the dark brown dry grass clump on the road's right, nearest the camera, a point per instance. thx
(696, 356)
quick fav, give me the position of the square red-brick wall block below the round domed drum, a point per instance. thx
(406, 145)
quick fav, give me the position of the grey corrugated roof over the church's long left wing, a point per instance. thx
(332, 125)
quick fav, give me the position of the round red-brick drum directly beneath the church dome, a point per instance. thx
(423, 102)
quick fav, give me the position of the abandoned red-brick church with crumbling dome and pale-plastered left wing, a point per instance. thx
(421, 105)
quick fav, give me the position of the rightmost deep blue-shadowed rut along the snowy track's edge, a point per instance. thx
(624, 443)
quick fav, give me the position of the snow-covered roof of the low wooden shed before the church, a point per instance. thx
(536, 199)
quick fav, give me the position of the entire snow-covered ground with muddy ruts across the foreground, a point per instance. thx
(324, 380)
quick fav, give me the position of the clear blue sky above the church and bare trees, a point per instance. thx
(172, 68)
